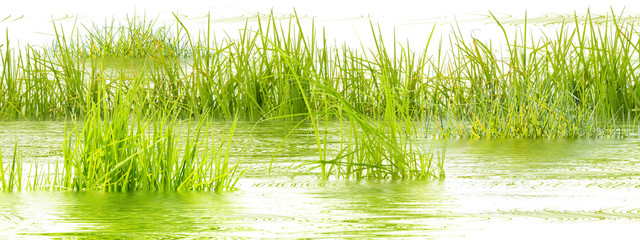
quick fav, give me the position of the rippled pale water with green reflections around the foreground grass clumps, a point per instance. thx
(493, 189)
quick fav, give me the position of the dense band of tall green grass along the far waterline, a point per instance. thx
(580, 83)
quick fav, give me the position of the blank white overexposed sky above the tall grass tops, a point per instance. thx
(31, 20)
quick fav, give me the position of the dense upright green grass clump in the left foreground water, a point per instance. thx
(113, 153)
